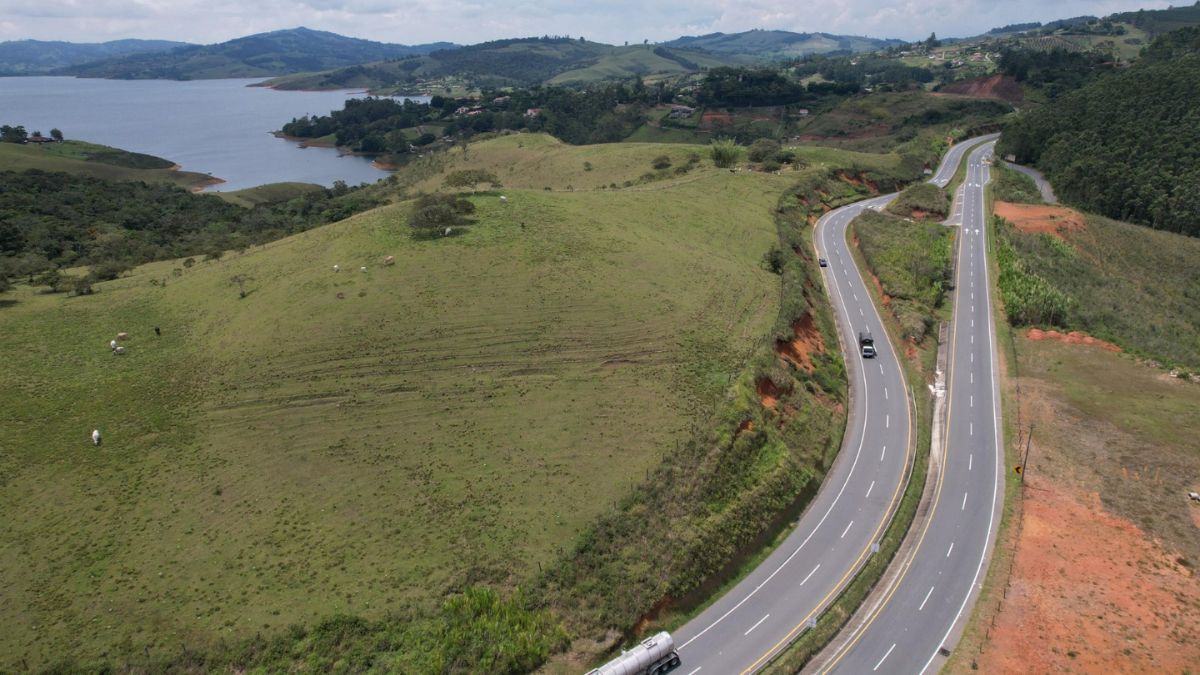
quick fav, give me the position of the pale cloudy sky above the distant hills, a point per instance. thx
(476, 21)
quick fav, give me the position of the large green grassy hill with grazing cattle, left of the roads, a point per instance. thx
(362, 441)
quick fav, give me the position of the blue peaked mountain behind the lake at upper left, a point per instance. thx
(267, 55)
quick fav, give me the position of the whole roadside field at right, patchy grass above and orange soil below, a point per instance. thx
(1099, 571)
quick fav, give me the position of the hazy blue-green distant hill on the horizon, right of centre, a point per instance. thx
(775, 45)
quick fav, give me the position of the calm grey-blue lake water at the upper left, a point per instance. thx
(218, 127)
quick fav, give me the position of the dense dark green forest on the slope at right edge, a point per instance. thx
(1126, 145)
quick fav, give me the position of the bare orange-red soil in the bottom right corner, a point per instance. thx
(1091, 593)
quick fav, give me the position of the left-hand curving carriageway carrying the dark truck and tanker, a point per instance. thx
(775, 604)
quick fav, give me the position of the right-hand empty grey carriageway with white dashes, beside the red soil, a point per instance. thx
(923, 612)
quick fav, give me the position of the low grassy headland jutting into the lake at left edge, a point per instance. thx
(97, 162)
